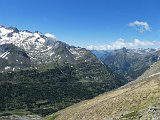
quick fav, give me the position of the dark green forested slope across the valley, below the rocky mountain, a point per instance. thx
(48, 91)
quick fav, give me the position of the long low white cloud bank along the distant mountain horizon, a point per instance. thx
(120, 43)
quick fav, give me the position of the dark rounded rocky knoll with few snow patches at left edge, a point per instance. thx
(13, 58)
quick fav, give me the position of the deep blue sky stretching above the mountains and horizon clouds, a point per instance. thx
(86, 22)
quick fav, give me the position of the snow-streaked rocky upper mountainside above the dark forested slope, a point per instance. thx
(40, 48)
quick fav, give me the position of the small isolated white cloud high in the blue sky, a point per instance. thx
(140, 26)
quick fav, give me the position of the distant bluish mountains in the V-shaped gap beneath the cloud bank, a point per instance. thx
(130, 63)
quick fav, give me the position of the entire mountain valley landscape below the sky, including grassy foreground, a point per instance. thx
(43, 78)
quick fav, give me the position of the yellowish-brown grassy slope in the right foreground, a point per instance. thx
(138, 100)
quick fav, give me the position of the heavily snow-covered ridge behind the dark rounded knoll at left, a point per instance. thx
(34, 43)
